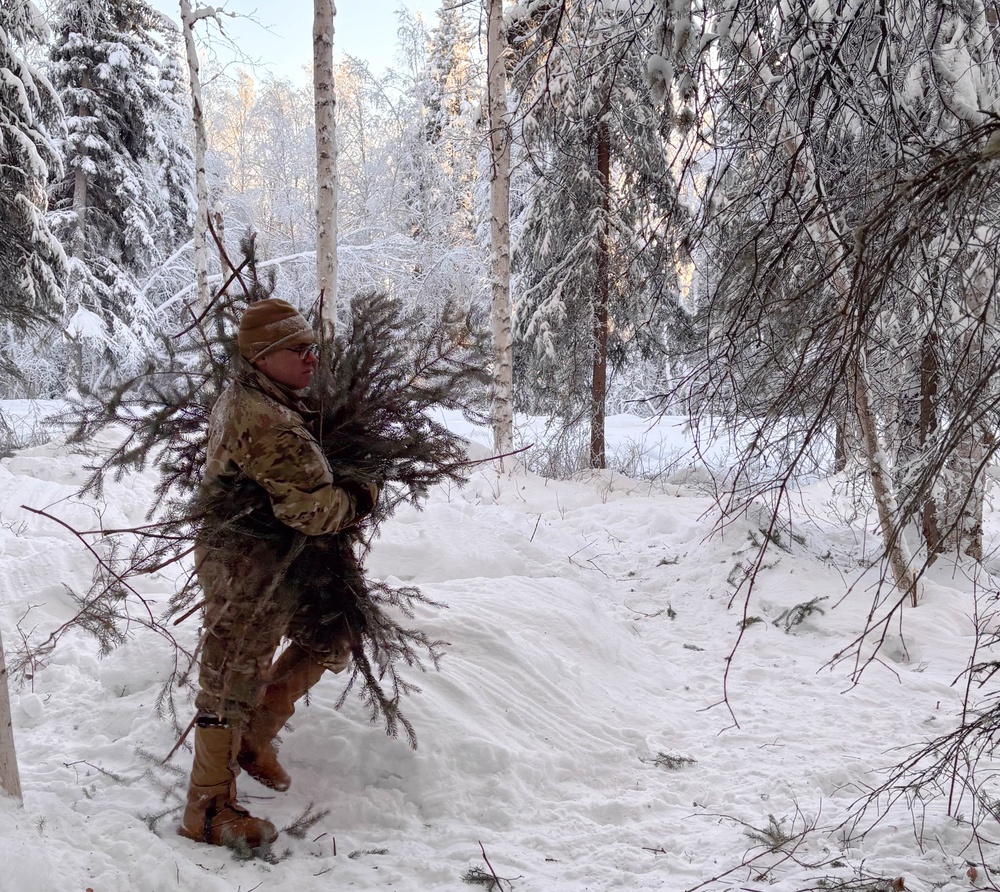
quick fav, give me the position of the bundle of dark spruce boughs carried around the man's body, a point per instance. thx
(377, 388)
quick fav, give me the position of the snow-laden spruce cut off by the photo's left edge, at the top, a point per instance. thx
(32, 261)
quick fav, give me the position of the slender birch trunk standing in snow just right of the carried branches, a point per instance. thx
(496, 92)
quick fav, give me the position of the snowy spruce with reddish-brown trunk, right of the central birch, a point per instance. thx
(595, 261)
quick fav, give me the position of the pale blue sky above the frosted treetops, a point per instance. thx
(282, 41)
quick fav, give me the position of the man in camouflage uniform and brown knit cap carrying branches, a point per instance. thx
(259, 432)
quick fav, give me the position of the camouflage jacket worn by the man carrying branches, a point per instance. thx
(259, 428)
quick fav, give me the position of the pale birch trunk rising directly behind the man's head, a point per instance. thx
(326, 164)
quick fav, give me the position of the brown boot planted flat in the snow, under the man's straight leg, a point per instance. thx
(211, 814)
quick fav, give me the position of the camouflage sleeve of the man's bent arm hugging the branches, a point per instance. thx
(288, 463)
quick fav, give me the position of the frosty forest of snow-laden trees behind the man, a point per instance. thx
(779, 218)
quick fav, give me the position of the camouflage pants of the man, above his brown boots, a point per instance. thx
(247, 613)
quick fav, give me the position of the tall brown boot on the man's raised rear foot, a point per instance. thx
(294, 673)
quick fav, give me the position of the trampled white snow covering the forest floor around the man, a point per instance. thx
(574, 736)
